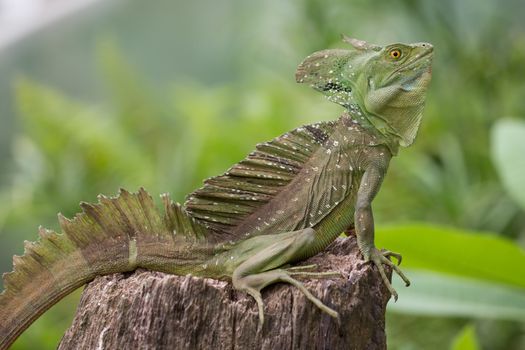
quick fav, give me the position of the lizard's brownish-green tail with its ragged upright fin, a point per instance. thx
(115, 235)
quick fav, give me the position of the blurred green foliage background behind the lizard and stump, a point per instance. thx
(97, 95)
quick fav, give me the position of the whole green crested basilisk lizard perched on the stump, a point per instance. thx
(285, 202)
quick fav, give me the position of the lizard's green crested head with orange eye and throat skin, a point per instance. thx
(385, 85)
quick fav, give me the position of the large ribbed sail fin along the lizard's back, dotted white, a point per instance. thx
(226, 201)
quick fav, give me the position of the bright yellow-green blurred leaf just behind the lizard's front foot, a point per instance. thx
(475, 255)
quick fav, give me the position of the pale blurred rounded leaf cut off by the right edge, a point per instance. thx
(508, 150)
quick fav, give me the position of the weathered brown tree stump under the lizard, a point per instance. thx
(152, 310)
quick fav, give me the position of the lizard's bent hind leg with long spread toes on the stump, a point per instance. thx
(263, 268)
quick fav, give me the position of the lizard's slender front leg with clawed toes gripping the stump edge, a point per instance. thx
(364, 225)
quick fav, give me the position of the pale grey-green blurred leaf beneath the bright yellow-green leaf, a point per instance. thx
(444, 295)
